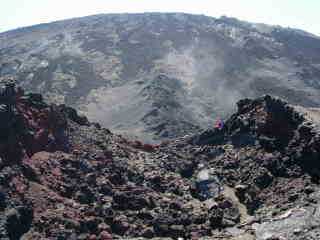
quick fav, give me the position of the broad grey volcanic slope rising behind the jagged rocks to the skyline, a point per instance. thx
(158, 76)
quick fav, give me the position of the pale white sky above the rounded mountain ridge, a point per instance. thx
(303, 14)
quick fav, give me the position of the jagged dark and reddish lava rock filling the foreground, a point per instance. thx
(62, 177)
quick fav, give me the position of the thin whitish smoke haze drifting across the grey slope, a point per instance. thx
(205, 79)
